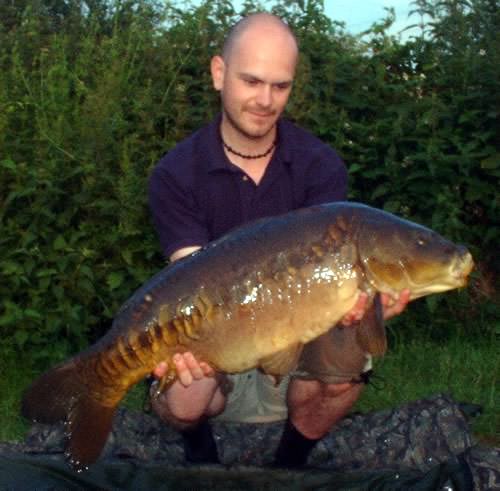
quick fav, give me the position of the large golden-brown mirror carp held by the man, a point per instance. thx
(250, 299)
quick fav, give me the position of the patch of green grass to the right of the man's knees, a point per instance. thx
(467, 370)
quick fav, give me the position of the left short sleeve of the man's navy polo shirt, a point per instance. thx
(177, 217)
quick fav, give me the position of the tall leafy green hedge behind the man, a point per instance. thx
(92, 94)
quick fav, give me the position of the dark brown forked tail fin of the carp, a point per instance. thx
(60, 394)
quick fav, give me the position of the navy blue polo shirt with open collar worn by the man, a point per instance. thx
(196, 194)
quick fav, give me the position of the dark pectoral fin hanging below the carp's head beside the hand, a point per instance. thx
(371, 331)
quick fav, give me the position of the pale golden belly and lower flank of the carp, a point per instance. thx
(278, 318)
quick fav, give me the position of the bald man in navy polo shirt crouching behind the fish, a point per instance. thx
(247, 164)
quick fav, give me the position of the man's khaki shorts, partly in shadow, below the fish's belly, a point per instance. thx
(334, 357)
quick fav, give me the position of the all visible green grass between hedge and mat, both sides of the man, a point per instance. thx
(464, 367)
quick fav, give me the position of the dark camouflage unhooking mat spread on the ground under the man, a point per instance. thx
(425, 445)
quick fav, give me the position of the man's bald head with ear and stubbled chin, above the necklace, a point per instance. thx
(254, 76)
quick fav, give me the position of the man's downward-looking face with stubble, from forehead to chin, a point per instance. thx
(256, 81)
